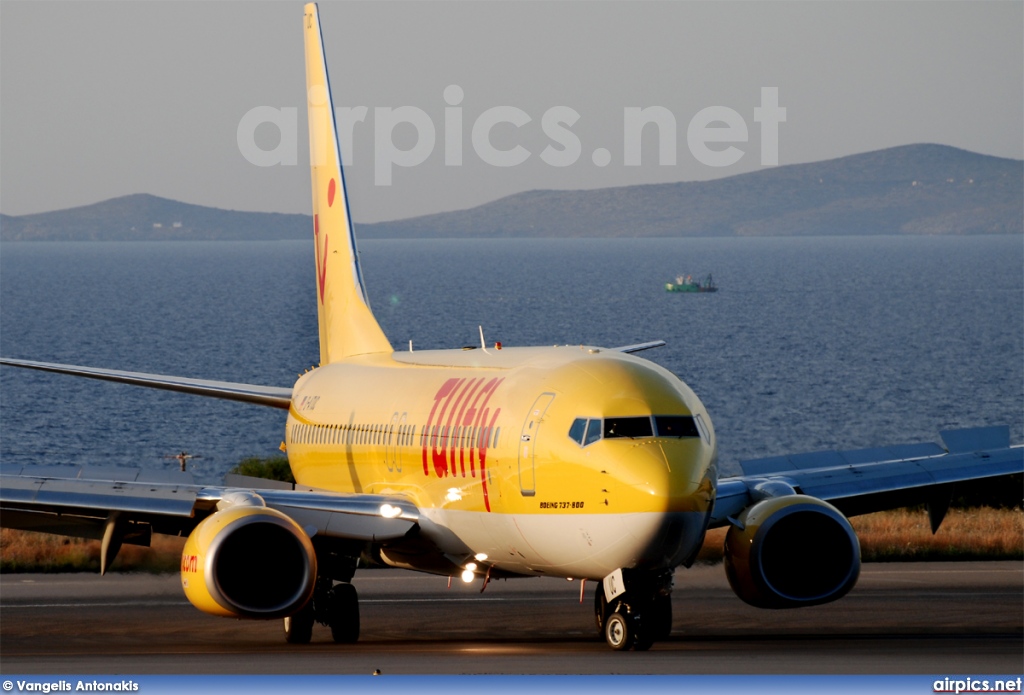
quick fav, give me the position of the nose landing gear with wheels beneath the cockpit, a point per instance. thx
(639, 618)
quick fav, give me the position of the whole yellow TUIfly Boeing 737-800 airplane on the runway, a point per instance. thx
(490, 463)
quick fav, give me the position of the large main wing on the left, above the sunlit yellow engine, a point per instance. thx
(80, 501)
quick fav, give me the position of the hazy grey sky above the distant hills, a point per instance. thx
(101, 100)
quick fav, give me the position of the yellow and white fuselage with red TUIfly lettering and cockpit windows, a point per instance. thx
(491, 446)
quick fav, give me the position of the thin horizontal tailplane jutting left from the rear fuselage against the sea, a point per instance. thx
(248, 394)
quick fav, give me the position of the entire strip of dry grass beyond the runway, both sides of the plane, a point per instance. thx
(898, 536)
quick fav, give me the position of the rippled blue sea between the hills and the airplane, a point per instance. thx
(809, 344)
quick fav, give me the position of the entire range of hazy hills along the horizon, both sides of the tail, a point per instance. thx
(912, 190)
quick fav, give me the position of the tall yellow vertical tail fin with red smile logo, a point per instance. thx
(348, 327)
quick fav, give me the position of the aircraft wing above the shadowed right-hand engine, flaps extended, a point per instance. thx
(871, 481)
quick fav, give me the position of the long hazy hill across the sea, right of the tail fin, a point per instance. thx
(917, 190)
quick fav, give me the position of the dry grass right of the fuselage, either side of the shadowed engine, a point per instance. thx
(983, 534)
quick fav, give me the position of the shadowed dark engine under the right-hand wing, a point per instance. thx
(790, 552)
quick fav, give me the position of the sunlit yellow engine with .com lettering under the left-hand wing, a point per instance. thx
(249, 562)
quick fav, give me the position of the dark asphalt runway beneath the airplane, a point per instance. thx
(901, 619)
